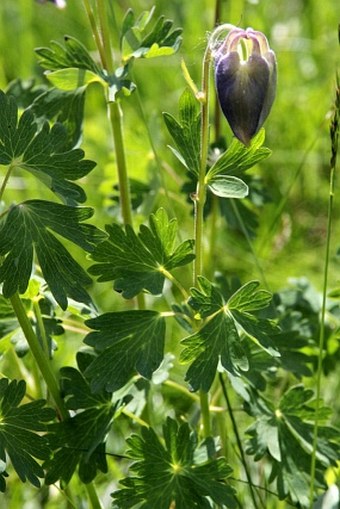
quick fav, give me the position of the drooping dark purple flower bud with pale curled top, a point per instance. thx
(245, 78)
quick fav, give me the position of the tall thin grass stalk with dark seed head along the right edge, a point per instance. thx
(334, 132)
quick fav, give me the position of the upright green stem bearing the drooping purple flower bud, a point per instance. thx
(199, 201)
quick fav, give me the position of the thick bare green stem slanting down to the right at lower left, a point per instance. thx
(39, 355)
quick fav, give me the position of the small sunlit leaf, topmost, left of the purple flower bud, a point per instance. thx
(138, 40)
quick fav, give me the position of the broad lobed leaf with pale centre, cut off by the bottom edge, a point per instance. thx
(166, 474)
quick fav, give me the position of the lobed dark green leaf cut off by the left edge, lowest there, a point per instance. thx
(21, 430)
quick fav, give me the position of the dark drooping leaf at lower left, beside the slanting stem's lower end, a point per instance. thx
(79, 441)
